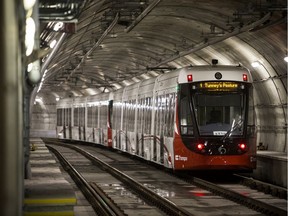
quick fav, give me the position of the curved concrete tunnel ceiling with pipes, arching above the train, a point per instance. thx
(106, 45)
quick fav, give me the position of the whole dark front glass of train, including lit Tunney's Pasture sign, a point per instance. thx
(212, 111)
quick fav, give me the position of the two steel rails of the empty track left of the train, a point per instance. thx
(102, 203)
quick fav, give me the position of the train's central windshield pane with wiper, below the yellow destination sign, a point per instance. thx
(216, 114)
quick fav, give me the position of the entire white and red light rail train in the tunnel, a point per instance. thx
(193, 118)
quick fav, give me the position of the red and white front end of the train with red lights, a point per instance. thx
(215, 120)
